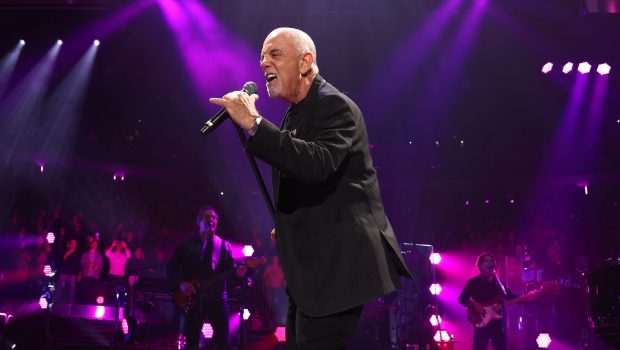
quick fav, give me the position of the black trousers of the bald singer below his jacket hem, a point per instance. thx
(331, 332)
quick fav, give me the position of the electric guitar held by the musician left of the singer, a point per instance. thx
(202, 286)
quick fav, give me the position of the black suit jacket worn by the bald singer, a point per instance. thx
(336, 246)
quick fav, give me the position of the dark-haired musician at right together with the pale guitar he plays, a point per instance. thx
(485, 297)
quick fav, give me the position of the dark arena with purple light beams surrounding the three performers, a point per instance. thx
(493, 125)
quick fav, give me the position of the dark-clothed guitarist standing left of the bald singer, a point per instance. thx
(198, 258)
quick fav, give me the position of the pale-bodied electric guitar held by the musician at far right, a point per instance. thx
(494, 309)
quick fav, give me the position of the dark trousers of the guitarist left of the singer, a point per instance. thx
(216, 312)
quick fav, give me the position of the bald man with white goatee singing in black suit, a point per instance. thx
(336, 245)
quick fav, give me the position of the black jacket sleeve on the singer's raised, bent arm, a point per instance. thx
(320, 153)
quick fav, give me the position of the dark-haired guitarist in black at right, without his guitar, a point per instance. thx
(478, 292)
